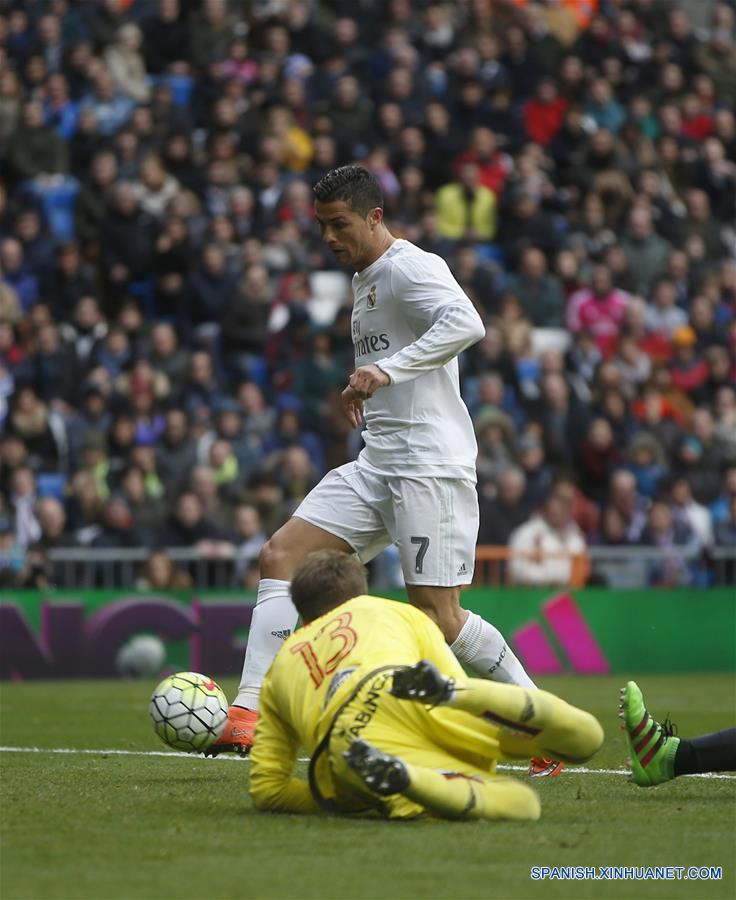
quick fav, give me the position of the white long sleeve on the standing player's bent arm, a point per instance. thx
(434, 301)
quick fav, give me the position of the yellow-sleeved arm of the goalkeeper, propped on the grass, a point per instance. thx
(273, 787)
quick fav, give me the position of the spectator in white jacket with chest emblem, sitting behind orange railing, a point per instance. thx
(543, 550)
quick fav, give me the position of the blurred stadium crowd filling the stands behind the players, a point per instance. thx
(169, 376)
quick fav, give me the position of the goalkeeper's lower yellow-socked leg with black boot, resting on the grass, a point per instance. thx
(445, 792)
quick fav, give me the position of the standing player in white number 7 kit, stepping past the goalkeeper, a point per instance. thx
(414, 482)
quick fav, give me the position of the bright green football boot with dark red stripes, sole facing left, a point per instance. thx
(652, 747)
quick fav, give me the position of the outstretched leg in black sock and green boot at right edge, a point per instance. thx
(656, 755)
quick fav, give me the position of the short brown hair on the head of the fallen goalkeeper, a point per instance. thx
(326, 579)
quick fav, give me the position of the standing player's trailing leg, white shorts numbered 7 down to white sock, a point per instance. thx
(435, 527)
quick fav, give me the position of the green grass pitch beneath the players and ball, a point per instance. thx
(102, 825)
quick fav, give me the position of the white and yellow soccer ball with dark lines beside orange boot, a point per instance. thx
(188, 711)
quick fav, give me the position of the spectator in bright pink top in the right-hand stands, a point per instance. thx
(599, 309)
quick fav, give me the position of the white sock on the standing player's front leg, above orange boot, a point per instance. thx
(274, 618)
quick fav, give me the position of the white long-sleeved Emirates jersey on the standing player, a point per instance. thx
(412, 318)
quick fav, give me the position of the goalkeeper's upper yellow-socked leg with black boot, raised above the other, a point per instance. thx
(527, 721)
